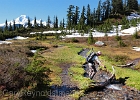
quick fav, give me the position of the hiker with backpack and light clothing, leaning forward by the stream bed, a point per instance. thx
(93, 62)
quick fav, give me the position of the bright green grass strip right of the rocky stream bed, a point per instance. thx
(133, 75)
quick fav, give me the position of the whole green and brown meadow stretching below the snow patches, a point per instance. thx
(58, 52)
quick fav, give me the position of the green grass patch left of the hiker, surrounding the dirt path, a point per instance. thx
(68, 54)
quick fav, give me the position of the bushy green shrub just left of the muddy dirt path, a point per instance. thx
(38, 75)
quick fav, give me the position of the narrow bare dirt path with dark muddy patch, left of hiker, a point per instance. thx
(67, 87)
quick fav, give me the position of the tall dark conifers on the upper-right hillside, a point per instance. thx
(105, 10)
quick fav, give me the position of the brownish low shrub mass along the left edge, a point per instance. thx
(12, 65)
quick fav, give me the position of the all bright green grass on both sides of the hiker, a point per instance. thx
(68, 54)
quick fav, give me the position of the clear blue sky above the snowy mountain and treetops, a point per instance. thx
(11, 9)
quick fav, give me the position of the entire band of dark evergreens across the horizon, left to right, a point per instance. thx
(85, 20)
